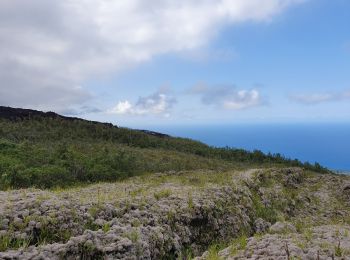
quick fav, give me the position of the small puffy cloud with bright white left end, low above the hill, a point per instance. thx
(158, 103)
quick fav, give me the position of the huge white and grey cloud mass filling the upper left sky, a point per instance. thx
(50, 48)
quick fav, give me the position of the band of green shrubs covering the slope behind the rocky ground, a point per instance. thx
(47, 152)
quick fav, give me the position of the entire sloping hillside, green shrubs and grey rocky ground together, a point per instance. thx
(78, 189)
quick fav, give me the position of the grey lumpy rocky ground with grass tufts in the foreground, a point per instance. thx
(255, 214)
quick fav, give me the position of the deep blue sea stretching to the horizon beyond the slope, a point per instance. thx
(327, 144)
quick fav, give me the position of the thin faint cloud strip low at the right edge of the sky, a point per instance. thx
(317, 98)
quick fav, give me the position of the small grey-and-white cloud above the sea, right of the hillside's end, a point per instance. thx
(227, 97)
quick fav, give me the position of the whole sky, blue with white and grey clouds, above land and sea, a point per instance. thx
(186, 62)
